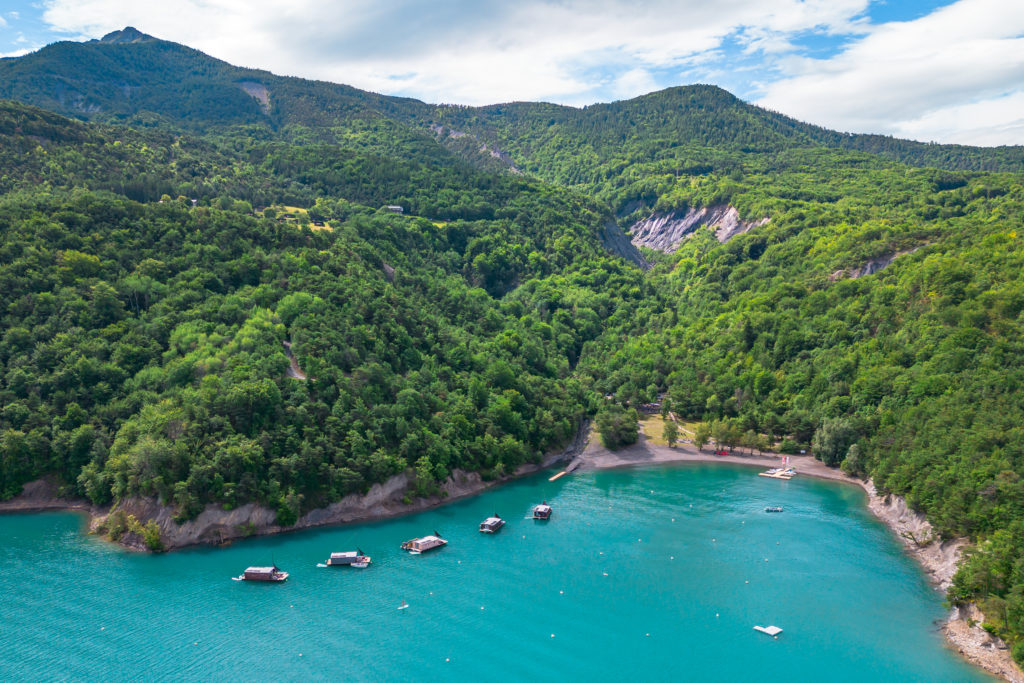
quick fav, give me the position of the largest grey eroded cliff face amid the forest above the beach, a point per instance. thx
(665, 232)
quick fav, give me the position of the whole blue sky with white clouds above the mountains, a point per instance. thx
(945, 71)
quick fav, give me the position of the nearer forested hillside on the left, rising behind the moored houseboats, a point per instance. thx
(143, 343)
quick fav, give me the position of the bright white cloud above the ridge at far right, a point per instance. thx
(950, 76)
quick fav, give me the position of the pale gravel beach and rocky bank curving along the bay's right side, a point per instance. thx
(940, 560)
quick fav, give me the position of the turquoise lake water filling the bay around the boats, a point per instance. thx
(653, 574)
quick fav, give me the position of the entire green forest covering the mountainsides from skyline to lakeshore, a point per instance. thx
(876, 317)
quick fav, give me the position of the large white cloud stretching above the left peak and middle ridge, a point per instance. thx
(473, 52)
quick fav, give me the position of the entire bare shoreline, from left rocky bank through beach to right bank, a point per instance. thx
(385, 501)
